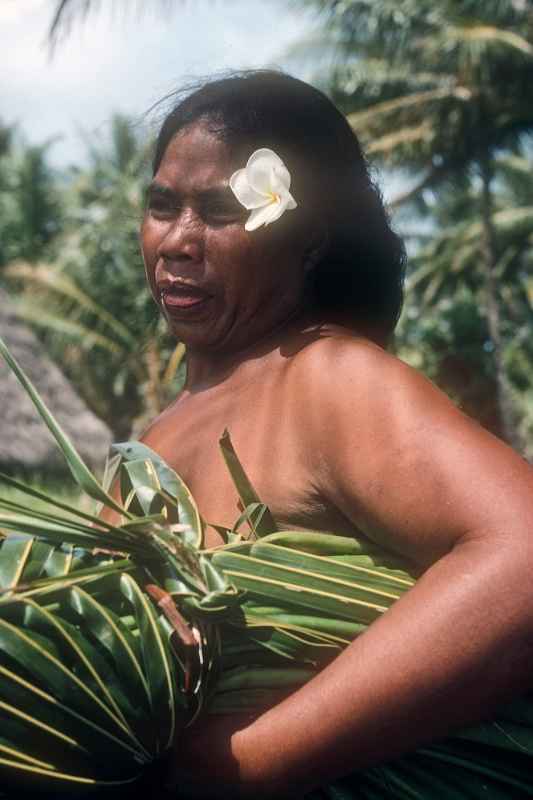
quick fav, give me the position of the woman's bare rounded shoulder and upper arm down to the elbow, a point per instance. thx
(398, 458)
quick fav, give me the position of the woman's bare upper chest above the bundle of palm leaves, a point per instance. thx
(269, 449)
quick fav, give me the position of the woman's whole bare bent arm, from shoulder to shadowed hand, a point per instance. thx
(417, 476)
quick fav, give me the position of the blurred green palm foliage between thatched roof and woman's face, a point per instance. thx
(91, 304)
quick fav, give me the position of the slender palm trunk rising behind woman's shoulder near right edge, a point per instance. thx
(506, 405)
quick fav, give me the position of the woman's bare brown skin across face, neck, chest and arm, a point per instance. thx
(336, 434)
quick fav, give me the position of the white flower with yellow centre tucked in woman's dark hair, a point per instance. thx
(263, 188)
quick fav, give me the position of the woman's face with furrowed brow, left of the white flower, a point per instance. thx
(219, 286)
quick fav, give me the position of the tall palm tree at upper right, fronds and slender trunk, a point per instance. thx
(441, 89)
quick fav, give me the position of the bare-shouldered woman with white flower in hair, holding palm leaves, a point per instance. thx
(267, 248)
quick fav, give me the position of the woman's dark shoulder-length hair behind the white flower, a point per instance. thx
(362, 265)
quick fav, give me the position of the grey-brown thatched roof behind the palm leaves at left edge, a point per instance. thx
(25, 442)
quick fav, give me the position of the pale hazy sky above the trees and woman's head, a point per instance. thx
(126, 61)
